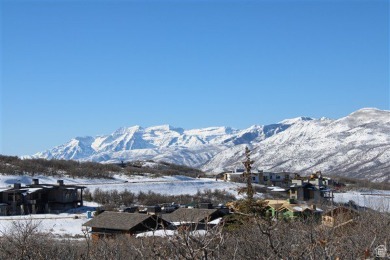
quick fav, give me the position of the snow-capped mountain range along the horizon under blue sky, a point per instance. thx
(357, 145)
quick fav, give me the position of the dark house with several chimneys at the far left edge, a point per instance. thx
(40, 198)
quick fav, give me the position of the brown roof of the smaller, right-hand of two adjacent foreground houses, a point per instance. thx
(188, 215)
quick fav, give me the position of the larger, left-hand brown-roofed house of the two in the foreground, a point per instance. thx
(108, 224)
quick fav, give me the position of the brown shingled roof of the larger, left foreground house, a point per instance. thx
(117, 220)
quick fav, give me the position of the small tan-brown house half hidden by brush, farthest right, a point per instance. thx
(339, 216)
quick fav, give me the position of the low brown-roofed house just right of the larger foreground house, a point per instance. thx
(194, 218)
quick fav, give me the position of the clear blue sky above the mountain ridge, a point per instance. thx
(76, 68)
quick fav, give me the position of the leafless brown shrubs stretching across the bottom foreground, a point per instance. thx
(253, 238)
